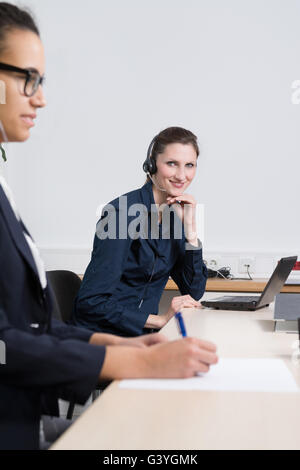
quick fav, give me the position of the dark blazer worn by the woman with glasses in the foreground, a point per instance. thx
(45, 359)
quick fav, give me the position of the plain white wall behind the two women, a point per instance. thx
(120, 71)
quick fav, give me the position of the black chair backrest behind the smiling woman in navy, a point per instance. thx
(65, 286)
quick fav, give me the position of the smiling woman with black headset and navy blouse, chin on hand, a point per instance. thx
(124, 281)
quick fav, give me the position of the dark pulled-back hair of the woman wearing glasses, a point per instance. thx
(12, 17)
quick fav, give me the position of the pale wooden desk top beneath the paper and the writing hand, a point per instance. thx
(143, 419)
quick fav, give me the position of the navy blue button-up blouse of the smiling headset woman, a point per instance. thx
(126, 276)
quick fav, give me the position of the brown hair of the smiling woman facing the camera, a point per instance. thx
(172, 135)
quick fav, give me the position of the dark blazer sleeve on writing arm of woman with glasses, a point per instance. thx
(69, 367)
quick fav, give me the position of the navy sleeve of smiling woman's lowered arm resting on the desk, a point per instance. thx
(97, 302)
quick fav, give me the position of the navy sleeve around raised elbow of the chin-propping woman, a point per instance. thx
(189, 271)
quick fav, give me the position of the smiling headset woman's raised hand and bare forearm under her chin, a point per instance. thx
(185, 207)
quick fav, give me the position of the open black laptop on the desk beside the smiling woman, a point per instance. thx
(254, 302)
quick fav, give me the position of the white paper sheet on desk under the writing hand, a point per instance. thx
(244, 375)
